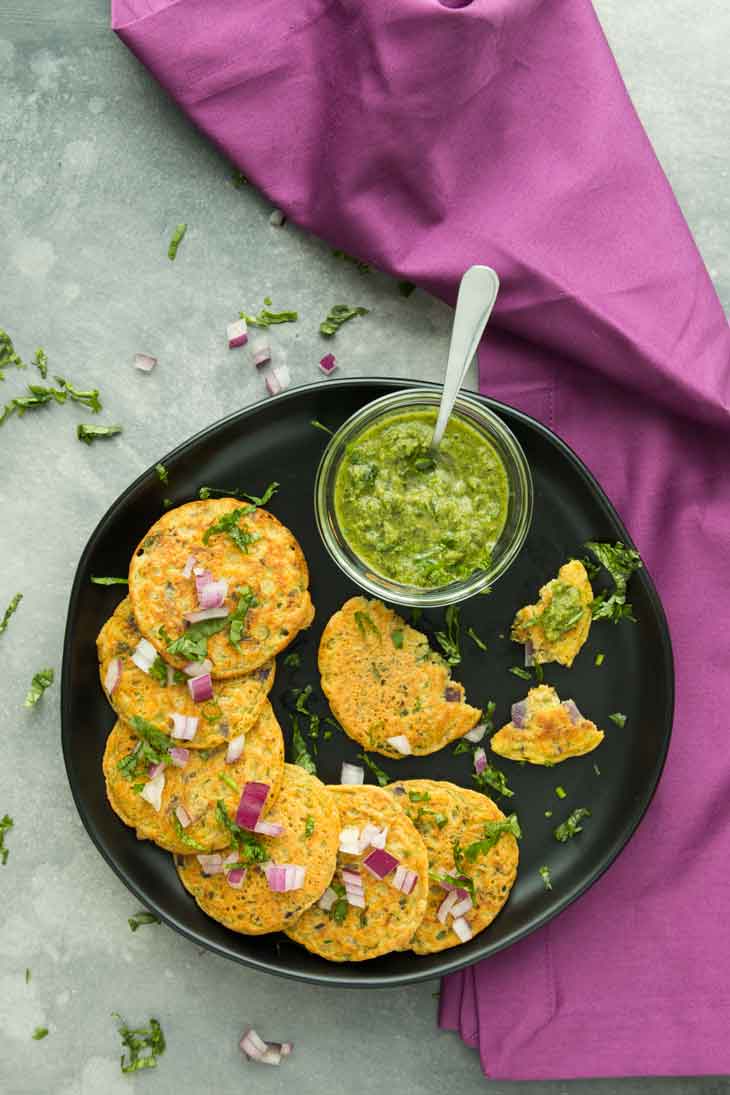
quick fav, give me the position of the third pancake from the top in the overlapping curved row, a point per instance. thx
(187, 813)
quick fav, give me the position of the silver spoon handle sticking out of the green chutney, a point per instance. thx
(478, 294)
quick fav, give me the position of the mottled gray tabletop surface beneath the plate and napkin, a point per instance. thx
(96, 169)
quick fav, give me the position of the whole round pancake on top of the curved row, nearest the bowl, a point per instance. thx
(231, 572)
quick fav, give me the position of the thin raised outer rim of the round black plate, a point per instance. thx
(449, 965)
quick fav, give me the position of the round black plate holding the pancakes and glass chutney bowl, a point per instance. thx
(275, 441)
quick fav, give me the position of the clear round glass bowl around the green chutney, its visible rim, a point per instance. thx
(519, 506)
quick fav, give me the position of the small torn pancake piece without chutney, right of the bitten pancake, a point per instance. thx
(546, 731)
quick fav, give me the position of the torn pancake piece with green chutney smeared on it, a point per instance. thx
(558, 627)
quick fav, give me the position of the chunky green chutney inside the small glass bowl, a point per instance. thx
(420, 518)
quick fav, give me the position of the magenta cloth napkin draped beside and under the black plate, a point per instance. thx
(424, 137)
